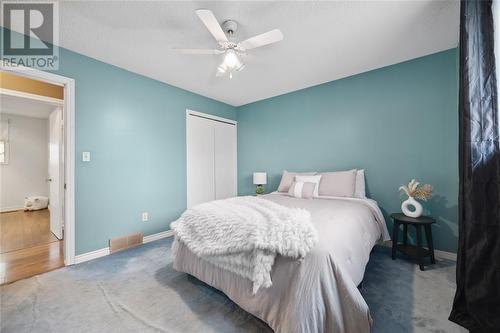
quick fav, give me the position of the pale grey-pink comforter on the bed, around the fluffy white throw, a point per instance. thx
(318, 293)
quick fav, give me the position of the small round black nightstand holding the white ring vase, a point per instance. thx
(417, 251)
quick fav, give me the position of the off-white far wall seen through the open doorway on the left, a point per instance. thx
(27, 168)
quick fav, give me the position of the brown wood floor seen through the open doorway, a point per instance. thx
(27, 247)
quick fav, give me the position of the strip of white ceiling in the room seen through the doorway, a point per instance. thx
(21, 106)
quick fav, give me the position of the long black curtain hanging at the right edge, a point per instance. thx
(477, 299)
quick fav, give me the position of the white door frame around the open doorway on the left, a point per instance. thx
(69, 149)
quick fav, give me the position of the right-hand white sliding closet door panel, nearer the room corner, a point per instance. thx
(225, 160)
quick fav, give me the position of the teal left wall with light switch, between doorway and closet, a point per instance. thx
(135, 129)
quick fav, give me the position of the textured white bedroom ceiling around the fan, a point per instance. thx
(323, 41)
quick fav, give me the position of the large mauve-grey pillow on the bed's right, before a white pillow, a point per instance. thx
(338, 184)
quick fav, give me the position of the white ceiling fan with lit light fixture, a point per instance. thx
(230, 51)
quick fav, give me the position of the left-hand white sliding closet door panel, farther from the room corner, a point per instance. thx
(200, 160)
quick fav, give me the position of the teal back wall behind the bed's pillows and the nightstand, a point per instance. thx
(398, 122)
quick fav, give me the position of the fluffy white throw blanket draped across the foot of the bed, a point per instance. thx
(244, 234)
